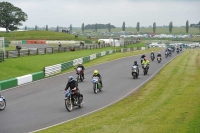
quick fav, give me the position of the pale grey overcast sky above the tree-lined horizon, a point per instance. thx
(65, 12)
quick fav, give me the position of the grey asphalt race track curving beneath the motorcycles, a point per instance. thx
(41, 104)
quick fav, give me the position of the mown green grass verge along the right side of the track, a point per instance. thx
(169, 103)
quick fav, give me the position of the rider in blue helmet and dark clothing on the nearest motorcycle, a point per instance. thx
(73, 85)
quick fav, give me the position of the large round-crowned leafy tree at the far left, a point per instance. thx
(11, 16)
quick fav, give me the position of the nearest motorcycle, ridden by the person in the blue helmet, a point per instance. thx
(72, 100)
